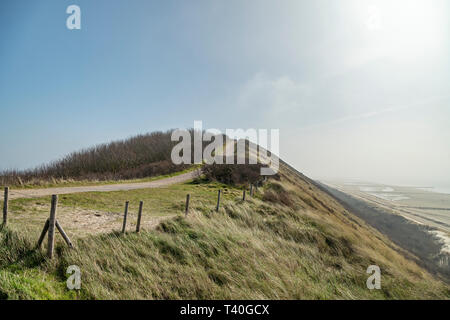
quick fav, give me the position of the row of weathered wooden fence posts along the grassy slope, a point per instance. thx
(52, 223)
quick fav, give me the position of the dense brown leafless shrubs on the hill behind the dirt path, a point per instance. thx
(134, 158)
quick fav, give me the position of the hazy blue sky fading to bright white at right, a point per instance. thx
(357, 88)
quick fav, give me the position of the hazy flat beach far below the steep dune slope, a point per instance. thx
(415, 218)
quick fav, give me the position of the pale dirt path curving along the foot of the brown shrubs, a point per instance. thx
(34, 193)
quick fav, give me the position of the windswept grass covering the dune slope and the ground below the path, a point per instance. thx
(258, 249)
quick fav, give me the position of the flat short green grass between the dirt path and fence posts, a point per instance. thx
(158, 202)
